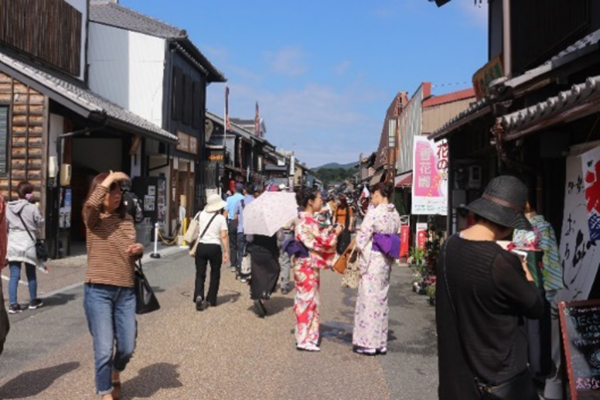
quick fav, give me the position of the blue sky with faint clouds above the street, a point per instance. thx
(324, 72)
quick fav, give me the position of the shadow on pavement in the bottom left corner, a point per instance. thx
(32, 383)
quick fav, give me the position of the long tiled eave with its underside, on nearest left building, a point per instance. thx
(83, 101)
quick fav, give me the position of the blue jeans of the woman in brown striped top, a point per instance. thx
(110, 311)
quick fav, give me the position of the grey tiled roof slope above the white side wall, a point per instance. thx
(109, 13)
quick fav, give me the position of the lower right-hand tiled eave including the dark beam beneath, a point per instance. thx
(576, 101)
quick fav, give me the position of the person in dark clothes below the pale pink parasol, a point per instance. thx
(265, 270)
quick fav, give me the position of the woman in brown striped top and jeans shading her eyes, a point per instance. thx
(109, 296)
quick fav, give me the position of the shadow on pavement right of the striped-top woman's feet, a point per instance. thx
(151, 379)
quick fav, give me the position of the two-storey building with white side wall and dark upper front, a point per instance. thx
(156, 71)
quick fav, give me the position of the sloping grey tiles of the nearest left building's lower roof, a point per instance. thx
(80, 95)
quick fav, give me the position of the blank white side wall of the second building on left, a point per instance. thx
(128, 69)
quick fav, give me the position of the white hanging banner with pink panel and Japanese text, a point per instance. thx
(430, 177)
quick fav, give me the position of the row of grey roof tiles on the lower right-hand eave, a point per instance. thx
(566, 100)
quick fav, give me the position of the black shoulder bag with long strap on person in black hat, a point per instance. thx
(519, 387)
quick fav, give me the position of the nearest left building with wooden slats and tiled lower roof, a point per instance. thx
(49, 118)
